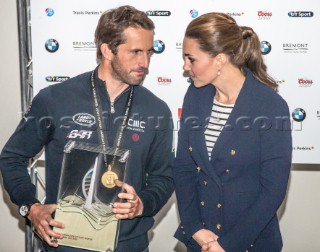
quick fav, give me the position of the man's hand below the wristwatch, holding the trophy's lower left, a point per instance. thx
(40, 216)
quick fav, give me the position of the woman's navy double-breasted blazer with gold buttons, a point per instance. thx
(237, 193)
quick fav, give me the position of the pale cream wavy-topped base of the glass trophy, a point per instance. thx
(86, 229)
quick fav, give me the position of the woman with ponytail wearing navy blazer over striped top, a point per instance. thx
(234, 151)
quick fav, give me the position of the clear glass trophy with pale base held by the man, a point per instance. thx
(91, 179)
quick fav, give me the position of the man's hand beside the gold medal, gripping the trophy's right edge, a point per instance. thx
(130, 209)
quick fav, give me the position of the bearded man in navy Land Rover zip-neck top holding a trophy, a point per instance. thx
(124, 39)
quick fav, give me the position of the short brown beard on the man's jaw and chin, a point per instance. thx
(119, 73)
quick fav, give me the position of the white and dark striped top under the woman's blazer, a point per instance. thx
(219, 116)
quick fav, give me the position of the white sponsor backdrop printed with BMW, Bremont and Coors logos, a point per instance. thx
(63, 46)
